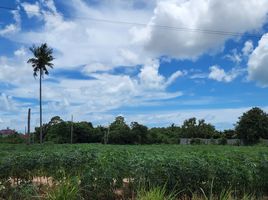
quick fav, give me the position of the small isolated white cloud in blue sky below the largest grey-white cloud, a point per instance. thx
(219, 74)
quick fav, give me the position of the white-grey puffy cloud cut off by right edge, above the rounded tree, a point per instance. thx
(258, 61)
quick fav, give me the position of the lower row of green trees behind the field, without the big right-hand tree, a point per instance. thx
(119, 132)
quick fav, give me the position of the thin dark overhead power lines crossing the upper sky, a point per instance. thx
(165, 27)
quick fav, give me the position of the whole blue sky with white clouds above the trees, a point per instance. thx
(156, 62)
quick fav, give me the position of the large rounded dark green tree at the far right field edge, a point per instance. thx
(252, 125)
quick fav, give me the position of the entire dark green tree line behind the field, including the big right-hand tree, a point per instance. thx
(251, 127)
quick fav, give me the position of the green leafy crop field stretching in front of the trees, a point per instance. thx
(103, 171)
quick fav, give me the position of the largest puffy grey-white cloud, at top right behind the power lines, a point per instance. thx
(194, 19)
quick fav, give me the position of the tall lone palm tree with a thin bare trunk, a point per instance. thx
(41, 60)
